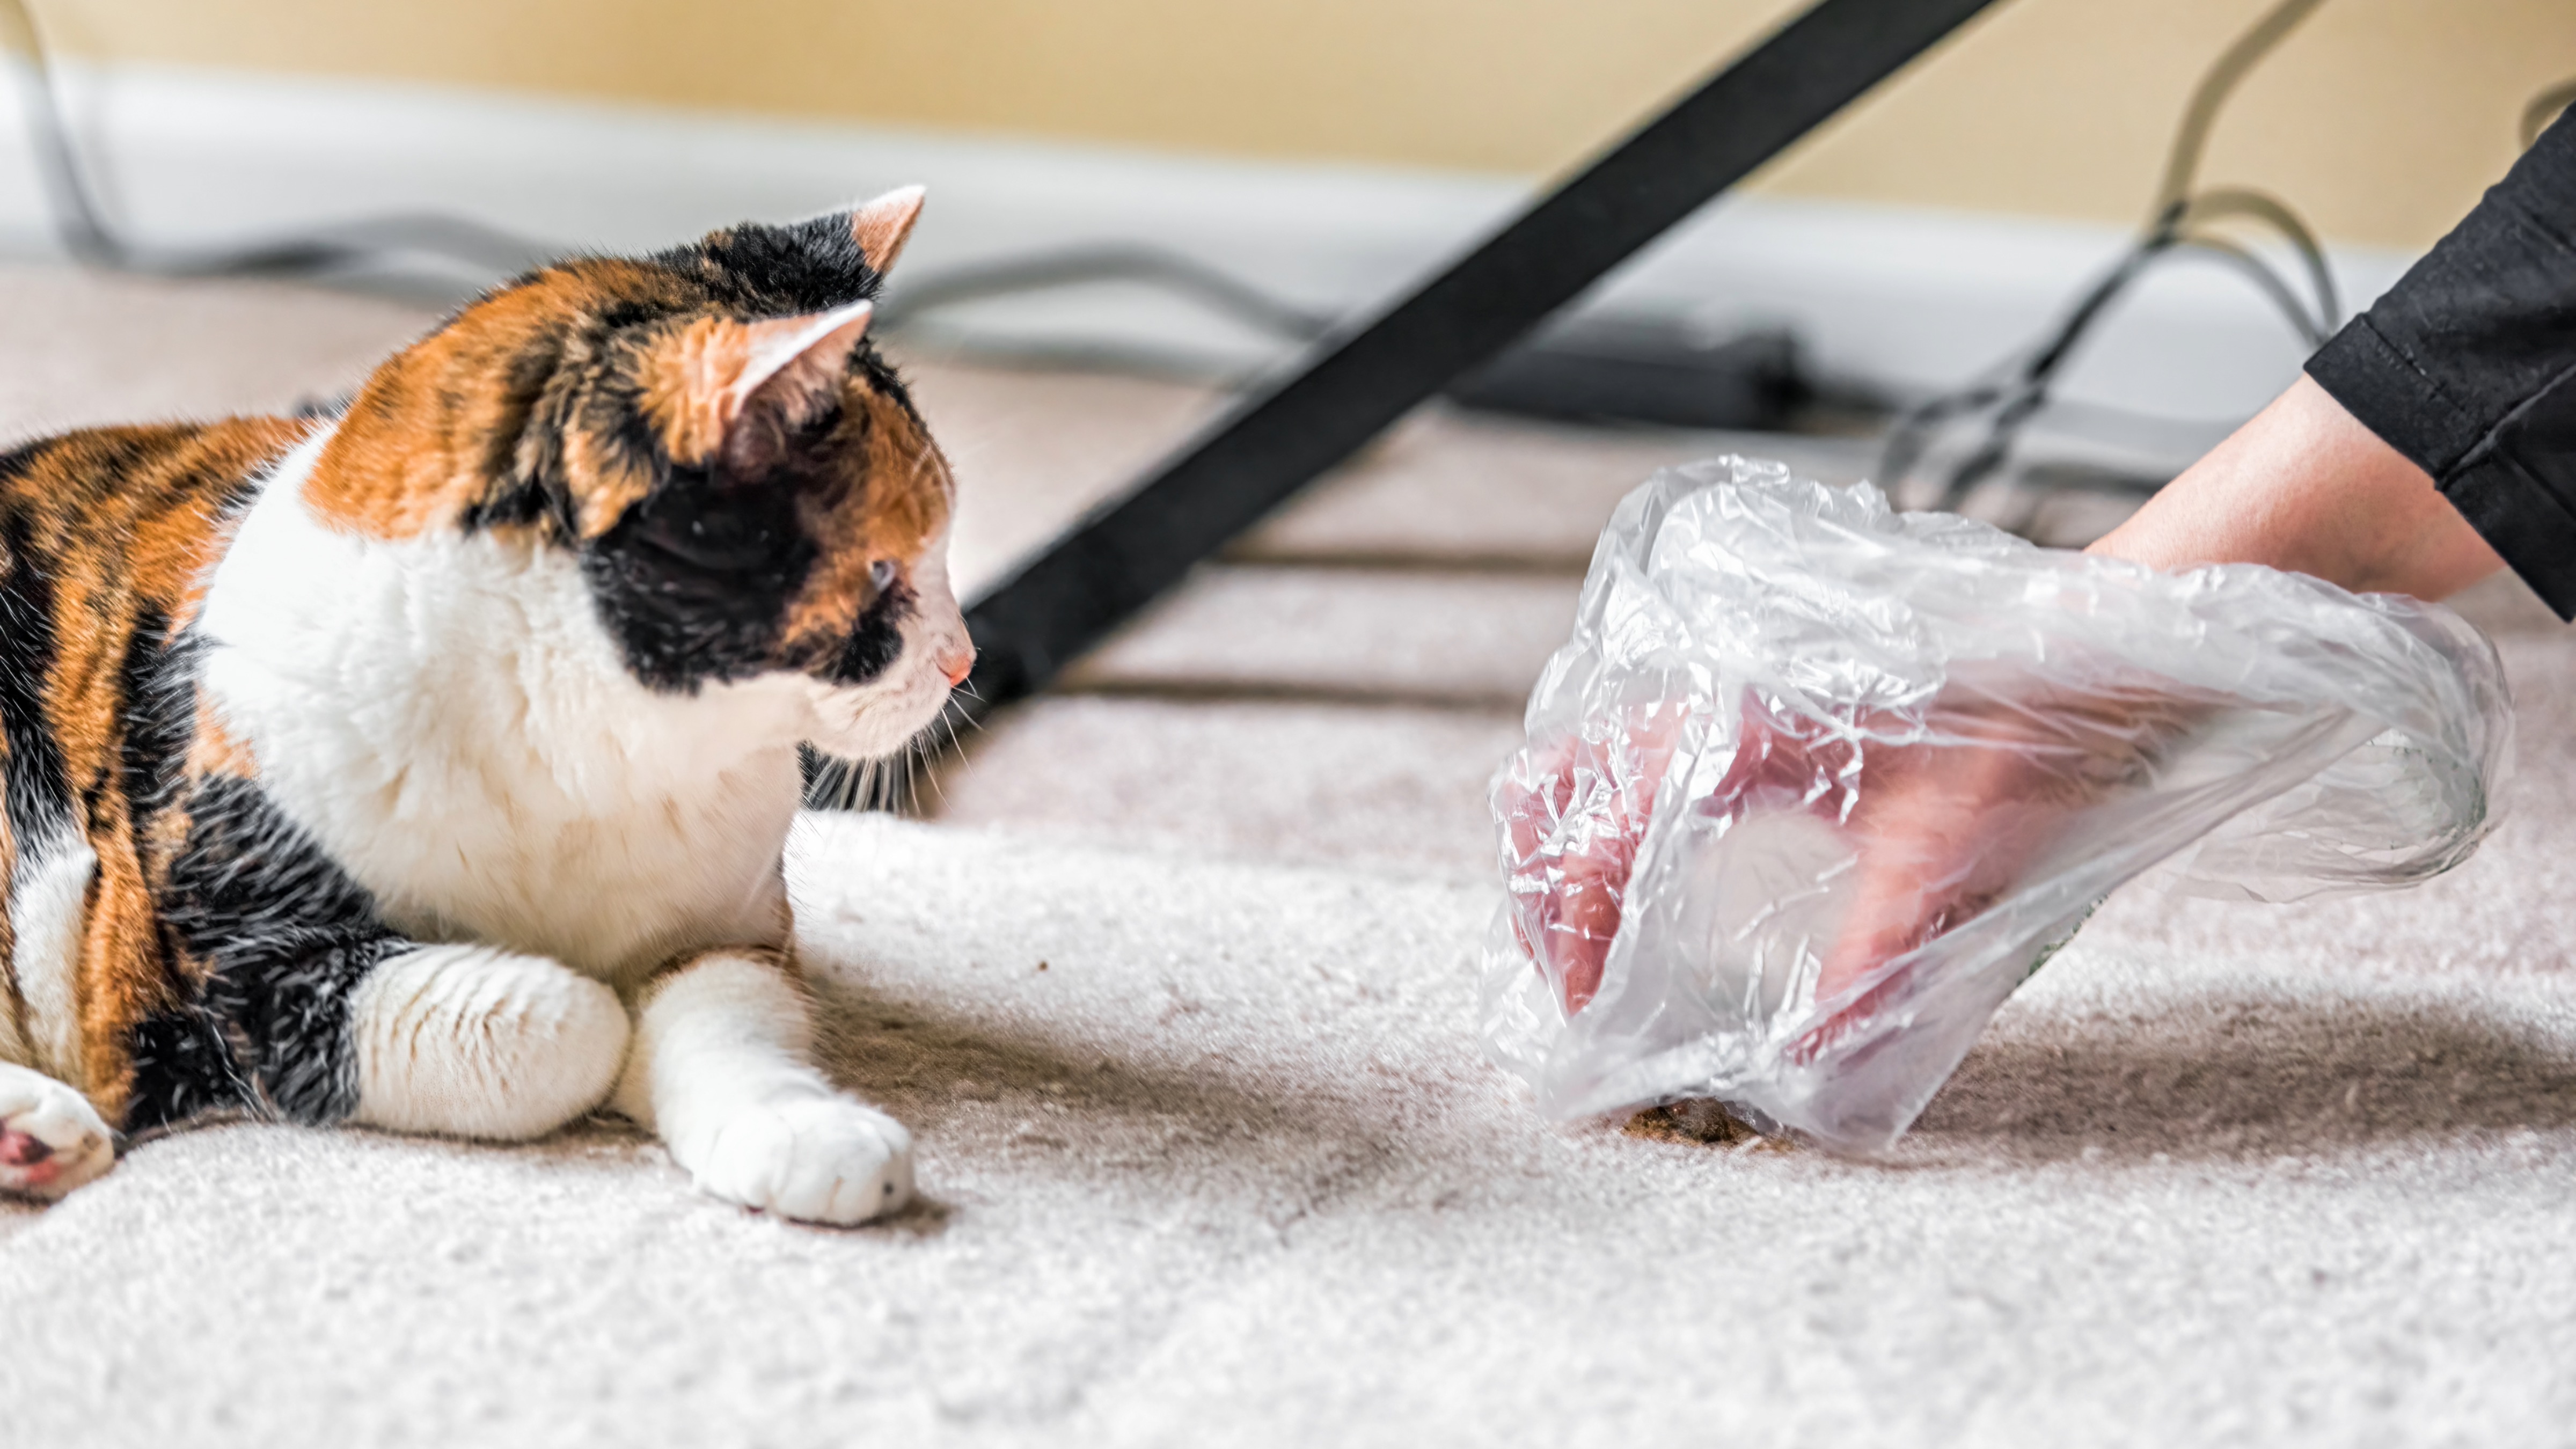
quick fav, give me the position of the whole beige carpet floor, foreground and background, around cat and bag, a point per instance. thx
(1186, 1027)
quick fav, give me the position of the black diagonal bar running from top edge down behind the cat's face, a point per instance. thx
(1124, 556)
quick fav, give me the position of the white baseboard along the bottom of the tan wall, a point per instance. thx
(1905, 300)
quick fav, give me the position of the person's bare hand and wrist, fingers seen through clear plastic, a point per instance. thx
(1941, 829)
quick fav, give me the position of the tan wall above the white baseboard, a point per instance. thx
(2382, 117)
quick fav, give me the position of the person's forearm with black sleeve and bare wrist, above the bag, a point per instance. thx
(2430, 442)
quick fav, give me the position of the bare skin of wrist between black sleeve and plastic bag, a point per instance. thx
(2309, 489)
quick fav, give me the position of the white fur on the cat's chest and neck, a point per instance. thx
(452, 723)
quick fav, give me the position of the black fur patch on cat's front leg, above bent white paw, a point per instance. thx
(285, 937)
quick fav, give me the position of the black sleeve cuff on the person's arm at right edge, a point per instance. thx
(2469, 367)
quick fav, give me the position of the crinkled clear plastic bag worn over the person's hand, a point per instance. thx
(1817, 785)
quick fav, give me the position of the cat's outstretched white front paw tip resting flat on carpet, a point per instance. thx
(815, 1159)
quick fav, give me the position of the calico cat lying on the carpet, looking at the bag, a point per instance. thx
(429, 767)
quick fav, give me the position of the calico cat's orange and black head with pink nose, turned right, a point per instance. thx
(707, 432)
